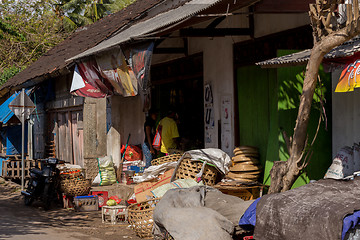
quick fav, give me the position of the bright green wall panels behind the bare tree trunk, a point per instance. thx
(268, 103)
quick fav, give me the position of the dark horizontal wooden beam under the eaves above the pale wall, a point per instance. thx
(217, 32)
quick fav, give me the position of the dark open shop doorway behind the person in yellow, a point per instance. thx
(179, 85)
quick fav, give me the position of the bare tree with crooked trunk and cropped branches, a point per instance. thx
(328, 33)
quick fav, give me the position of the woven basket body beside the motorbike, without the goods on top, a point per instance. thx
(76, 186)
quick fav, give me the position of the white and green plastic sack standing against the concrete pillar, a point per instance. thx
(107, 171)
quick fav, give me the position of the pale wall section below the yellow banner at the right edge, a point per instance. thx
(345, 116)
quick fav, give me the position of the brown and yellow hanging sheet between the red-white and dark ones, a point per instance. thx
(114, 68)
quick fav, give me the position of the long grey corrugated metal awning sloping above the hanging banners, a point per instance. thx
(189, 9)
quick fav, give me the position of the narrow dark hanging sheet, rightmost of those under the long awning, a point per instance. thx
(140, 61)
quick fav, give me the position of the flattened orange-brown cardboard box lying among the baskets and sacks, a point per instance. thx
(143, 190)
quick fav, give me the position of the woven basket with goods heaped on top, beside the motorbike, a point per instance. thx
(73, 182)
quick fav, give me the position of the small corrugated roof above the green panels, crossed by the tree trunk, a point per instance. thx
(347, 49)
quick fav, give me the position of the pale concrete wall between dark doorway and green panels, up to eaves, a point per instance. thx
(218, 58)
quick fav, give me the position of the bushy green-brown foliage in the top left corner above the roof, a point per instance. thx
(28, 29)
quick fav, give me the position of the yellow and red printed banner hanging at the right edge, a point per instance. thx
(349, 78)
